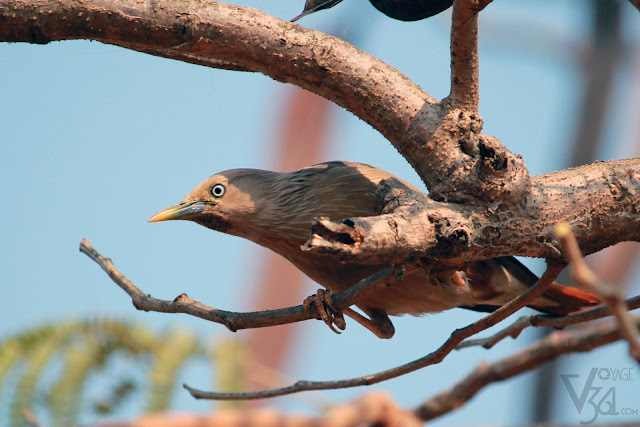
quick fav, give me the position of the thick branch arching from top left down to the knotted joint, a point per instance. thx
(443, 145)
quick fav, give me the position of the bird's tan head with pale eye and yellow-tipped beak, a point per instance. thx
(226, 202)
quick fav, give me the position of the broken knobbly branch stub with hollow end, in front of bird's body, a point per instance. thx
(410, 224)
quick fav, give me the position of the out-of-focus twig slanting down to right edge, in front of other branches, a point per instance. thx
(610, 294)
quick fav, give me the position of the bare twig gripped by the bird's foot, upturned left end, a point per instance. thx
(233, 320)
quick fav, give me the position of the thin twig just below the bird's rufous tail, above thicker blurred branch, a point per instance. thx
(539, 320)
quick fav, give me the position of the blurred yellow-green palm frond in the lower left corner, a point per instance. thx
(50, 369)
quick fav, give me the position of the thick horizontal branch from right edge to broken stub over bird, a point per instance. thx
(601, 202)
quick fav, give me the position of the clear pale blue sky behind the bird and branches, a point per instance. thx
(94, 139)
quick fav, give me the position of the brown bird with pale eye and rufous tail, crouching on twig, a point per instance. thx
(276, 209)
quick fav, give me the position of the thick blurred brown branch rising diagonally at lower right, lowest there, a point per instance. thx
(578, 340)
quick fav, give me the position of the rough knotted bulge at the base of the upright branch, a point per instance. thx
(459, 164)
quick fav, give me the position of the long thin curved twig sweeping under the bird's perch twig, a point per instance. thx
(433, 358)
